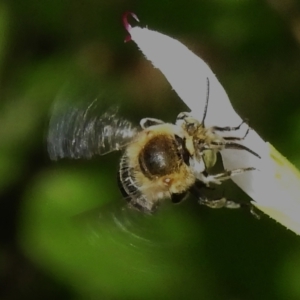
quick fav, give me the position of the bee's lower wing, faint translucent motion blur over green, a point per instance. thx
(119, 222)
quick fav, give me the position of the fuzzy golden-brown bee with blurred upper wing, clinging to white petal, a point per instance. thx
(160, 160)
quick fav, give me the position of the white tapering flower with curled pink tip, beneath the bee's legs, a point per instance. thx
(273, 186)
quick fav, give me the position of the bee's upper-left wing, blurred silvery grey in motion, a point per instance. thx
(82, 132)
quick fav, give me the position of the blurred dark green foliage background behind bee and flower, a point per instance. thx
(184, 251)
